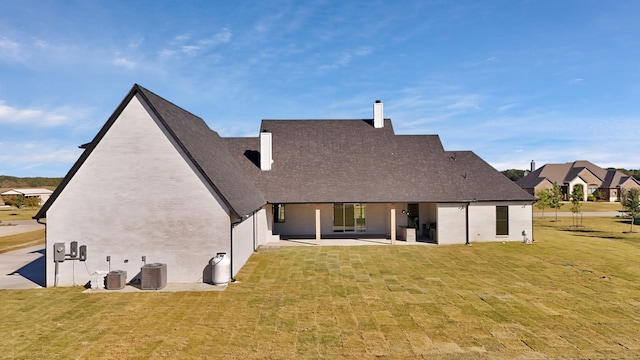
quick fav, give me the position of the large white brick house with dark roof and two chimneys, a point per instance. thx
(299, 178)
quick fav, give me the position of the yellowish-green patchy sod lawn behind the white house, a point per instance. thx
(573, 293)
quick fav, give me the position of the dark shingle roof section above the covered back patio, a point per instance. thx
(327, 161)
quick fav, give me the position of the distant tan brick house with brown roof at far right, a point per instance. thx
(606, 183)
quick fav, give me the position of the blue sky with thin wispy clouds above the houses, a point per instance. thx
(513, 81)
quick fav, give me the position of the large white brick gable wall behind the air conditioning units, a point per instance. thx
(128, 200)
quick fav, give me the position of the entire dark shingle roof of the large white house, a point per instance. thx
(320, 161)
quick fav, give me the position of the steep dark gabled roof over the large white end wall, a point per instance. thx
(203, 146)
